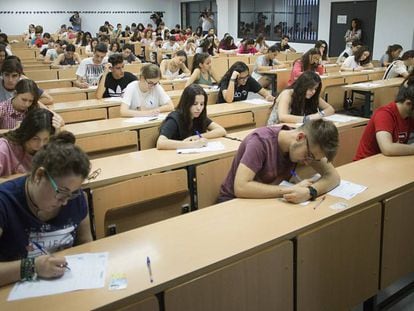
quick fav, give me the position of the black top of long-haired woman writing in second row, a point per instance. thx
(173, 126)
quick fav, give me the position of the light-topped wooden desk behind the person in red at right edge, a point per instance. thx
(382, 87)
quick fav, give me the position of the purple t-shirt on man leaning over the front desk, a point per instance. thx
(260, 152)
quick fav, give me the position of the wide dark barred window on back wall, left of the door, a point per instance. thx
(296, 18)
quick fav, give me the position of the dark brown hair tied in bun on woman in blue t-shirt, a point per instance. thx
(61, 157)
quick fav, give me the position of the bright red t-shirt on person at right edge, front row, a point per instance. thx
(386, 118)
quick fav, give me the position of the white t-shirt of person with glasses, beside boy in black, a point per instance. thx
(138, 100)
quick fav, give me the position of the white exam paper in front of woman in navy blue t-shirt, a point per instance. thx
(87, 271)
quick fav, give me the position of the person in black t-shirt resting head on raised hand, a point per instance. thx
(237, 83)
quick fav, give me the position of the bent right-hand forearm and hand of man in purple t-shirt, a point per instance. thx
(329, 180)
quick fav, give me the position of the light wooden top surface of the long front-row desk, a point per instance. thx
(220, 234)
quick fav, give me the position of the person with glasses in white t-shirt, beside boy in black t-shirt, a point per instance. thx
(146, 97)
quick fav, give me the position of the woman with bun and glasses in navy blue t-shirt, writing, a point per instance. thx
(47, 203)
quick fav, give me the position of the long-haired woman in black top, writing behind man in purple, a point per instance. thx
(188, 126)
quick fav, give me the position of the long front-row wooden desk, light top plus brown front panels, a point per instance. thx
(222, 250)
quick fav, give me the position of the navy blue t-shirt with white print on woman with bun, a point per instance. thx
(20, 226)
